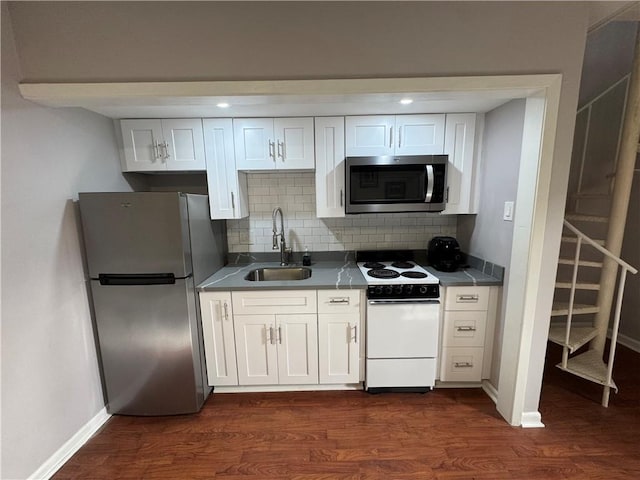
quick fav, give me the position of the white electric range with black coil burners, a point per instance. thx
(403, 322)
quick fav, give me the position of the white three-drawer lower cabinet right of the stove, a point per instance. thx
(467, 333)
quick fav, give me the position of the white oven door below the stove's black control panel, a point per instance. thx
(402, 329)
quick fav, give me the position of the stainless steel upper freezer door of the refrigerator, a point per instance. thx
(136, 232)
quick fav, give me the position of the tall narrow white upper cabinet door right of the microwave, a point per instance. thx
(460, 133)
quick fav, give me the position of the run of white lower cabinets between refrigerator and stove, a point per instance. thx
(283, 337)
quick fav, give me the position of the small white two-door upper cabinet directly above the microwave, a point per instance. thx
(377, 135)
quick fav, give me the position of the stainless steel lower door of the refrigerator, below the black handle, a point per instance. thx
(149, 347)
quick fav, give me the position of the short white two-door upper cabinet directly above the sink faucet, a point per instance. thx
(274, 143)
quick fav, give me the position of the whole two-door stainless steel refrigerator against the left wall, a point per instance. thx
(146, 252)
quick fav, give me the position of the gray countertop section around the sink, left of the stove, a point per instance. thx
(325, 274)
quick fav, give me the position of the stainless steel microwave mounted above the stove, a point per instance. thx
(396, 184)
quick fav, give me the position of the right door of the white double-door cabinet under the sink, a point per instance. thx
(297, 349)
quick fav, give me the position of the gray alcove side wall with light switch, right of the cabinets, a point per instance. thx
(487, 235)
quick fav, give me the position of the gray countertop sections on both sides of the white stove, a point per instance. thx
(328, 274)
